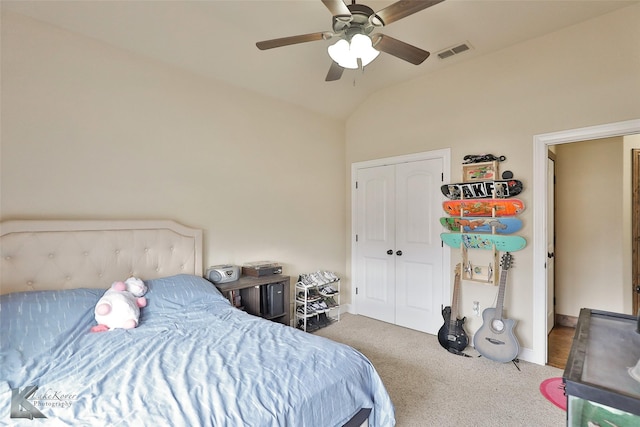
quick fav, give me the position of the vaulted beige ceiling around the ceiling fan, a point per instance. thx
(217, 38)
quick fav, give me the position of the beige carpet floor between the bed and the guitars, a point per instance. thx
(432, 387)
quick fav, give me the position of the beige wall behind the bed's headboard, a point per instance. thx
(89, 131)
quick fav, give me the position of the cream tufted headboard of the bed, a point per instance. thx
(48, 255)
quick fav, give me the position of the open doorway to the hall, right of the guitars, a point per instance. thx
(590, 195)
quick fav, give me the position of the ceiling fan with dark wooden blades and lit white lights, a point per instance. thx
(354, 25)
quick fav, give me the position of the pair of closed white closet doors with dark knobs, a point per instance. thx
(399, 253)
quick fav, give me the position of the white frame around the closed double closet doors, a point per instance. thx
(445, 155)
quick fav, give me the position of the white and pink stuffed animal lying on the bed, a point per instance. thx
(120, 305)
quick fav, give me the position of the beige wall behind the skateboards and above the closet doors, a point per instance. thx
(585, 75)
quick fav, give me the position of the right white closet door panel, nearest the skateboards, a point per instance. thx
(419, 278)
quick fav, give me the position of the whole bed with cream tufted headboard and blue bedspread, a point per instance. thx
(193, 359)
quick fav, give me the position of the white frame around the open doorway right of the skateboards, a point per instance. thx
(541, 145)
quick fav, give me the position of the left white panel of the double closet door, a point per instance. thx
(376, 237)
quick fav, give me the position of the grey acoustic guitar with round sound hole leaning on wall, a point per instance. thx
(495, 339)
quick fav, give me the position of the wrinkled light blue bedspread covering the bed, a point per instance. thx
(193, 360)
